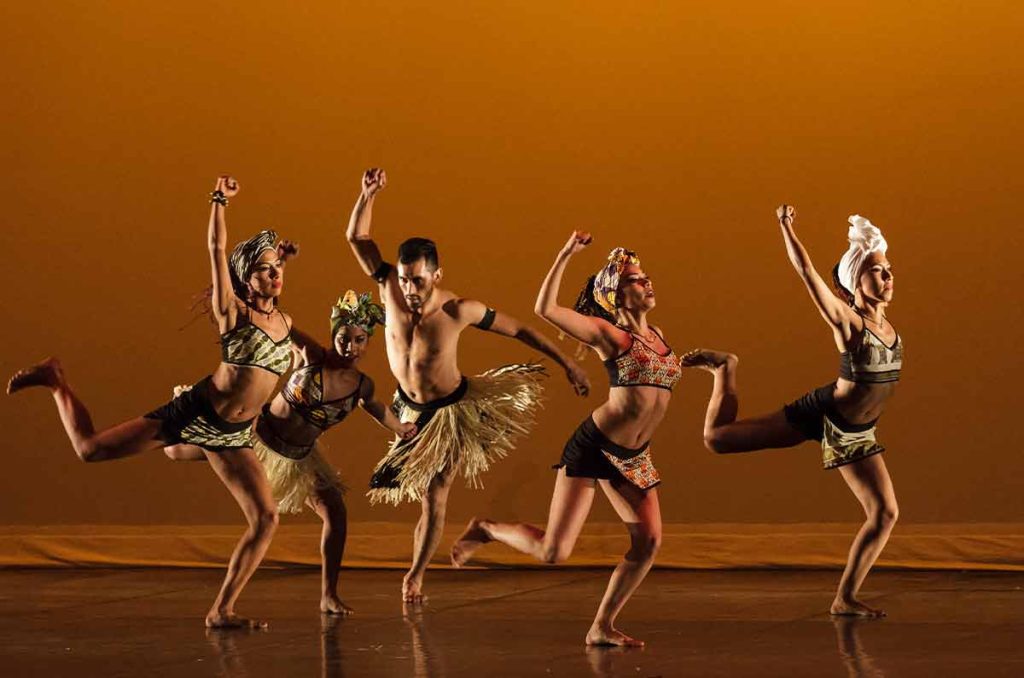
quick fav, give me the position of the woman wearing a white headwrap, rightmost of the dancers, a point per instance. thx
(842, 415)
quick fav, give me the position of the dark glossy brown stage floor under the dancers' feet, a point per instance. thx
(509, 623)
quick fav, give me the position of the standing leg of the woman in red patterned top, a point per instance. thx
(643, 516)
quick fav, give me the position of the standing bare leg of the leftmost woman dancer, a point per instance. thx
(243, 475)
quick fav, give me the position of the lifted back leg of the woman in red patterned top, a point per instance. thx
(571, 504)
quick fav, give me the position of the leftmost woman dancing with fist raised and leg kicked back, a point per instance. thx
(218, 413)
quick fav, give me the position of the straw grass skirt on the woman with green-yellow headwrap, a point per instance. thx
(293, 482)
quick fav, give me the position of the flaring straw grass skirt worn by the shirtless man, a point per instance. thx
(468, 436)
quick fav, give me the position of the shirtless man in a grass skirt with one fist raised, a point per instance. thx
(463, 425)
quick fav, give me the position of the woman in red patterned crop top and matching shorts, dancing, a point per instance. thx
(612, 447)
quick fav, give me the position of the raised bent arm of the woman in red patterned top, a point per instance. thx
(594, 332)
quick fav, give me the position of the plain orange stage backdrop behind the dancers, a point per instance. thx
(673, 129)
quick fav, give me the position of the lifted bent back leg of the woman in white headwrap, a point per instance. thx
(723, 434)
